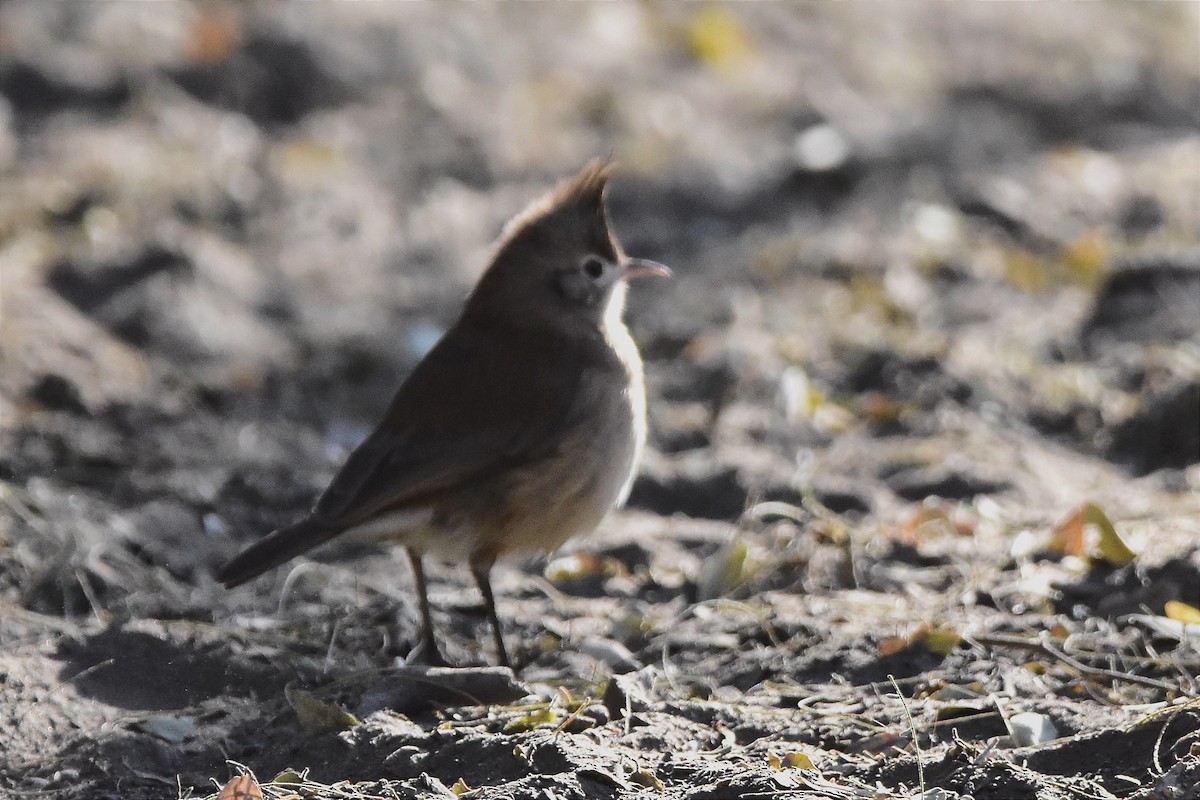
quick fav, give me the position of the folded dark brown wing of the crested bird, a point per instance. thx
(476, 406)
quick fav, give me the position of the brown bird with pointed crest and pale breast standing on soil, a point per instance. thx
(521, 429)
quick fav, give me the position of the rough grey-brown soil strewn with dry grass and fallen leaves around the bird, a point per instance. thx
(938, 290)
